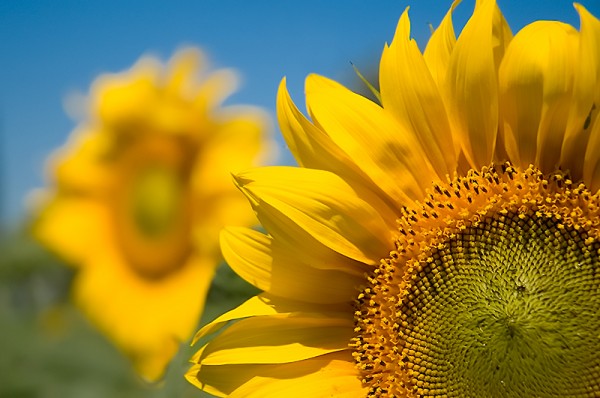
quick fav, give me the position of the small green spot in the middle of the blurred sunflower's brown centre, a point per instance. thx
(155, 197)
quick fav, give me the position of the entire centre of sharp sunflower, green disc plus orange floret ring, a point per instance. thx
(503, 300)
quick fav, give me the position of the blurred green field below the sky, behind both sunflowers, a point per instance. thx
(49, 349)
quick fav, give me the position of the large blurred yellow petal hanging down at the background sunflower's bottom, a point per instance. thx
(137, 314)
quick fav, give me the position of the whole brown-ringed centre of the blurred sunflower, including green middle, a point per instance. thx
(152, 207)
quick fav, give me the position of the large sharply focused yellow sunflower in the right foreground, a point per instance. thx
(445, 243)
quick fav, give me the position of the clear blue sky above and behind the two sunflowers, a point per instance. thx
(49, 49)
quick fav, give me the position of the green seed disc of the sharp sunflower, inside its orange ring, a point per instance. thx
(509, 308)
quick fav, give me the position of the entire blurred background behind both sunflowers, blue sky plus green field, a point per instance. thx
(50, 52)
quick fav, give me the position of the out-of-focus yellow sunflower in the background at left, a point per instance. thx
(140, 192)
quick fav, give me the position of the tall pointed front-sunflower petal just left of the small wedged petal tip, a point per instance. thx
(410, 92)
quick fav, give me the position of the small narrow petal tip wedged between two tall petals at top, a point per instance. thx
(439, 47)
